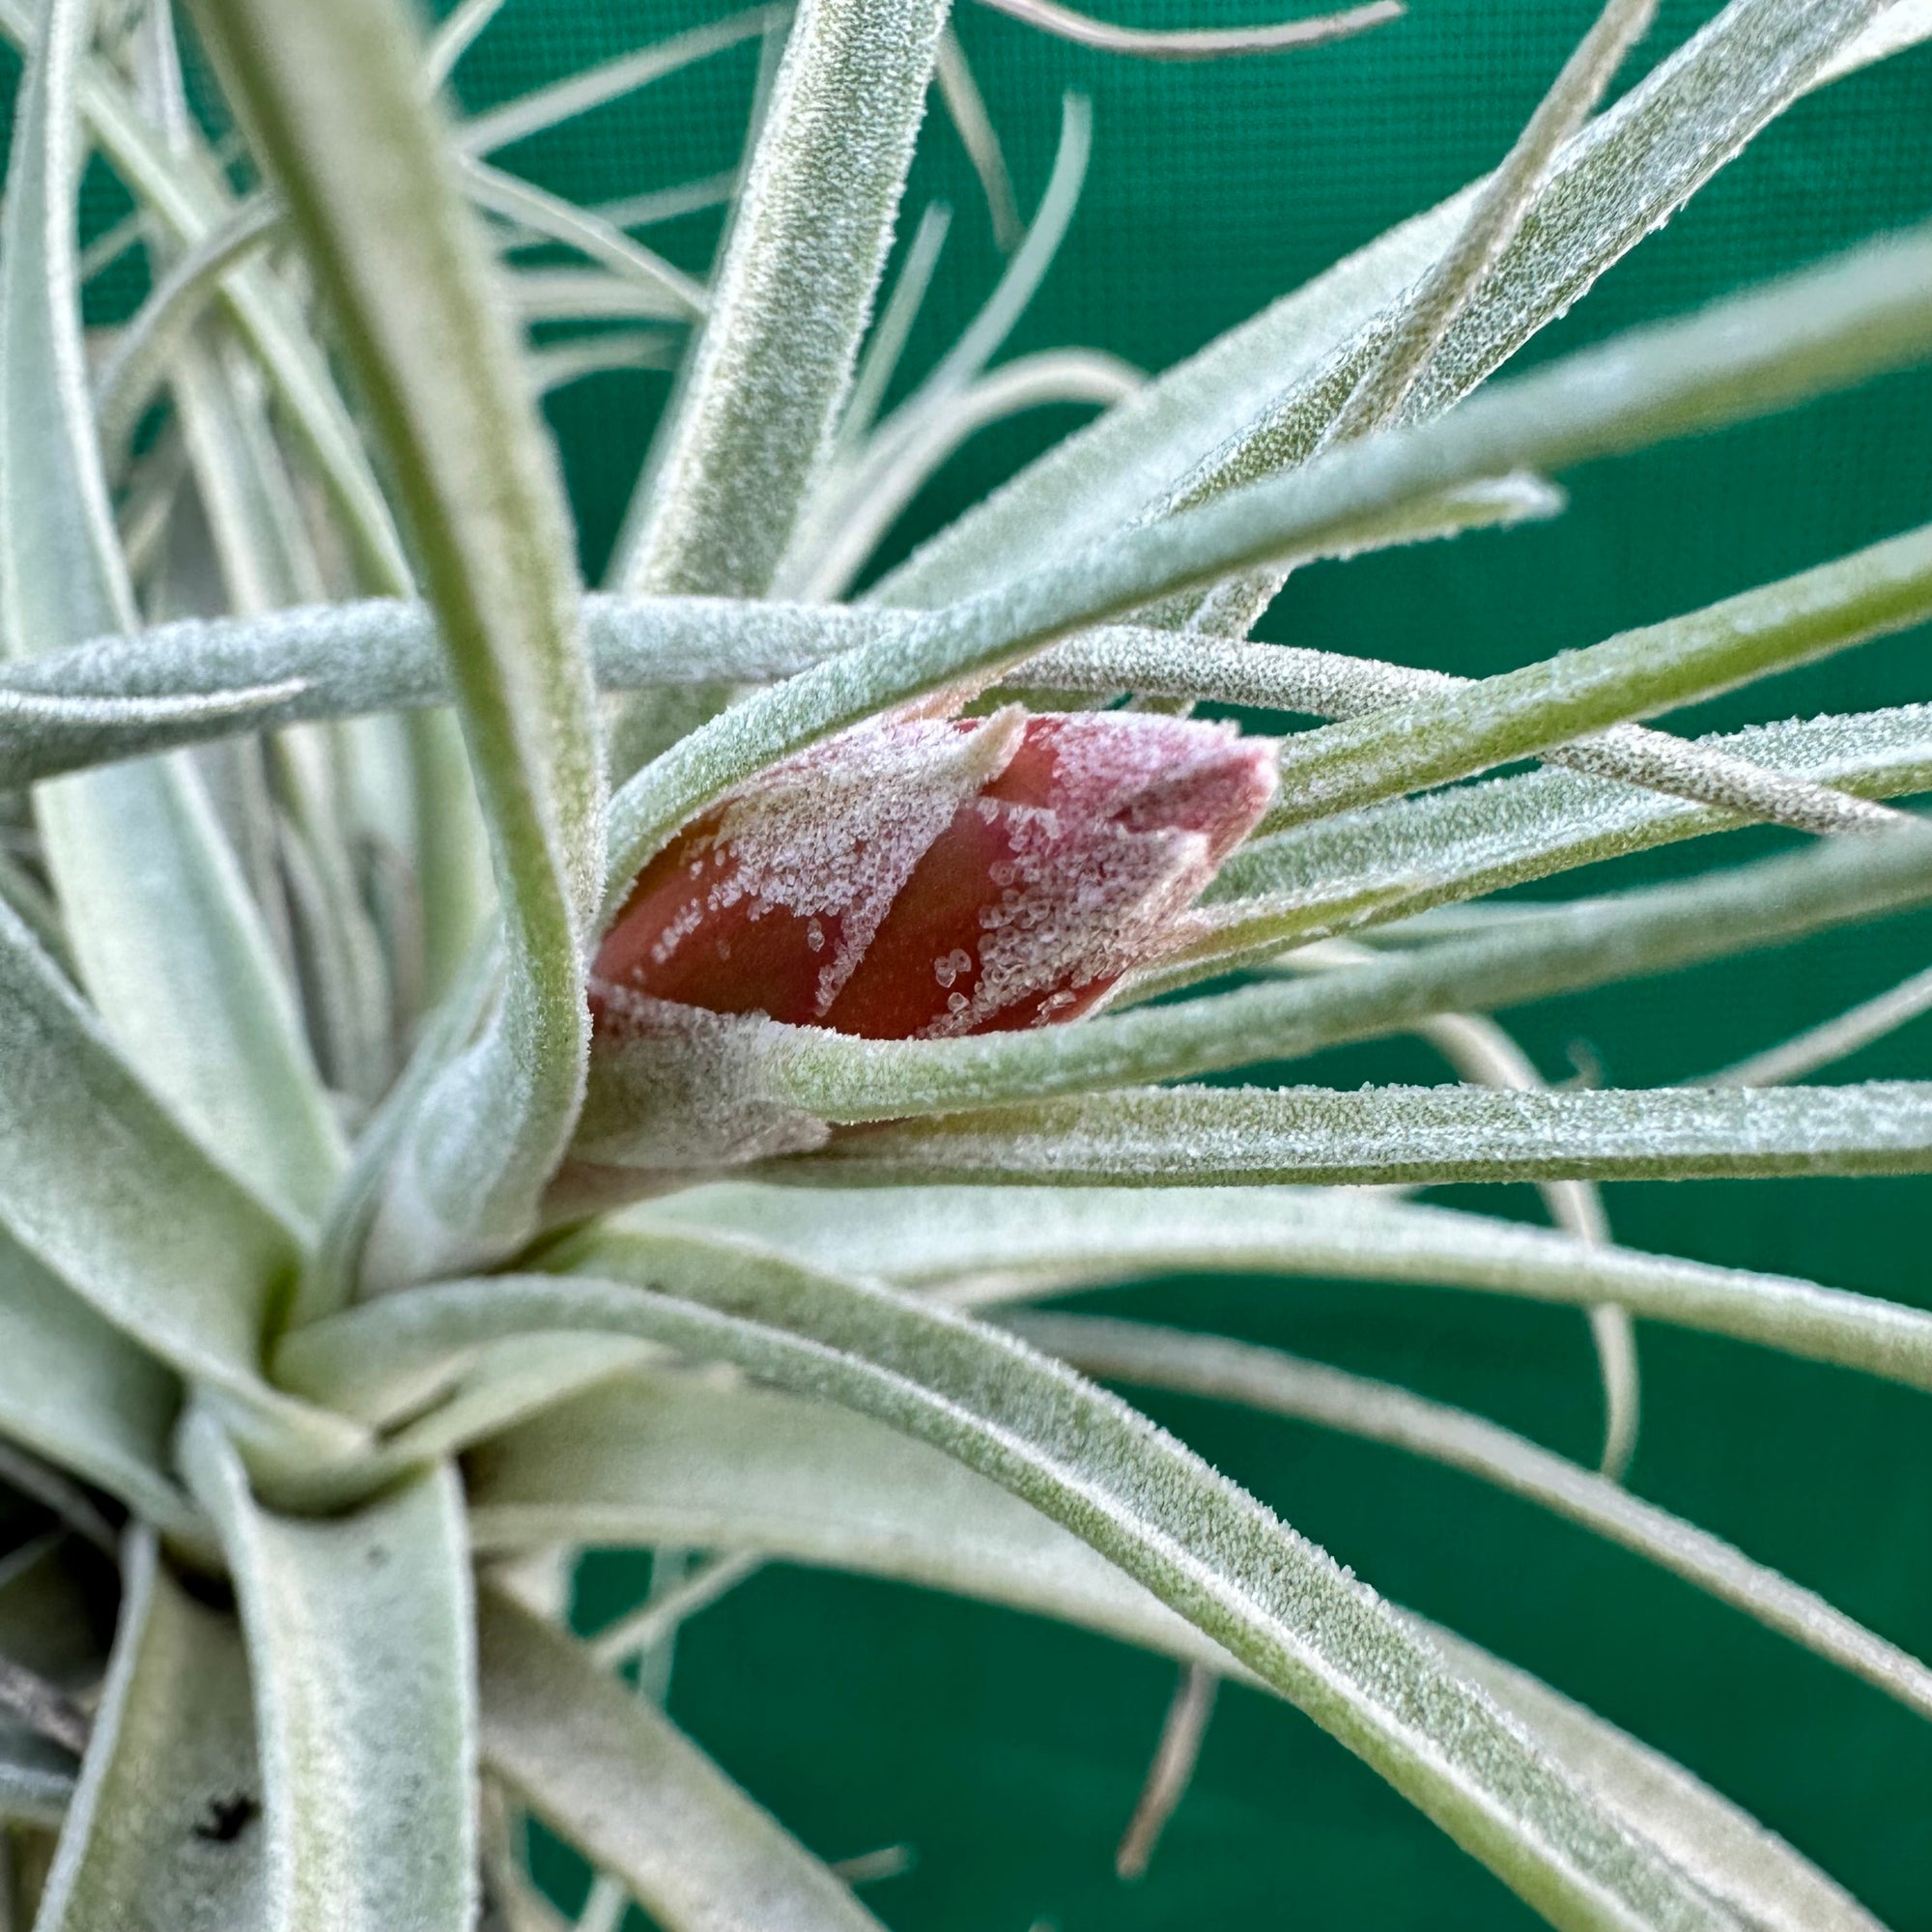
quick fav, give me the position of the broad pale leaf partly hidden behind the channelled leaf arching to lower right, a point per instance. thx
(749, 1469)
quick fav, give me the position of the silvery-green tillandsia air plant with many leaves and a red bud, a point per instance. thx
(490, 1069)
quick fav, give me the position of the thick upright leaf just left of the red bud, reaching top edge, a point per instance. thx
(335, 101)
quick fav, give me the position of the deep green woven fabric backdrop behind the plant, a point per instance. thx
(1008, 1753)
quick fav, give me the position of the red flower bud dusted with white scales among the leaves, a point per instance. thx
(924, 878)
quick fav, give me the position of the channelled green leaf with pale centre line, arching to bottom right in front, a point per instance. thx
(1208, 1550)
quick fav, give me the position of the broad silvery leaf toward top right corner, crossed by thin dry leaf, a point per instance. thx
(1299, 358)
